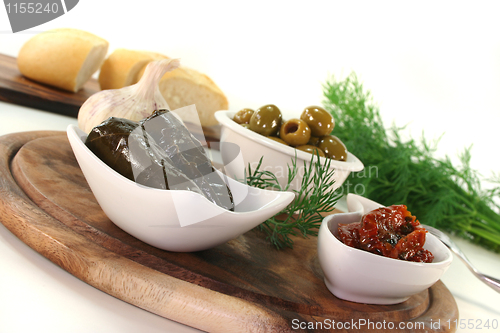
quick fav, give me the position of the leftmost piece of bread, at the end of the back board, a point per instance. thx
(63, 58)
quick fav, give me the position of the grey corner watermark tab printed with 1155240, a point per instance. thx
(25, 15)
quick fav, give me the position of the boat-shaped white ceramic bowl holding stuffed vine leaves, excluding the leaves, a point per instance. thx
(181, 221)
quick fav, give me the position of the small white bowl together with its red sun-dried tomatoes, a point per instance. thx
(370, 267)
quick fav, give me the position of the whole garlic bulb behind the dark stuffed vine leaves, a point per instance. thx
(134, 102)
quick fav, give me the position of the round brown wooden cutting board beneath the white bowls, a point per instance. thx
(244, 285)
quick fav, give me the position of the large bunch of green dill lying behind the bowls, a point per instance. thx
(405, 171)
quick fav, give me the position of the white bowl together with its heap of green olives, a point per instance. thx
(264, 136)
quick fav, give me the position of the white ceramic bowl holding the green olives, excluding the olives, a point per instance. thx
(276, 157)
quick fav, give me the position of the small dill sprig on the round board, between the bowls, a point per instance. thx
(305, 214)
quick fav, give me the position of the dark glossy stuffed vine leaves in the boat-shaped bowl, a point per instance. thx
(159, 152)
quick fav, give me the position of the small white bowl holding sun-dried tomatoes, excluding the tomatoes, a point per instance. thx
(363, 277)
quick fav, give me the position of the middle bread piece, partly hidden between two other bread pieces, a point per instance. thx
(124, 67)
